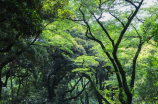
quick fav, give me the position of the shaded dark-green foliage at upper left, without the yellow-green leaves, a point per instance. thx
(20, 27)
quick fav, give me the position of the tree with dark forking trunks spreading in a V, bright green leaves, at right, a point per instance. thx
(91, 12)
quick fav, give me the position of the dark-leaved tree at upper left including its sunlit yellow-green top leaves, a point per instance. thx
(21, 23)
